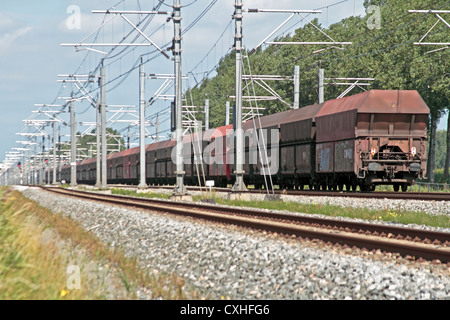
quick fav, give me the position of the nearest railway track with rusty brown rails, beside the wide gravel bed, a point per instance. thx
(429, 245)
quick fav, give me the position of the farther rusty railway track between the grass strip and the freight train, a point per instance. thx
(425, 196)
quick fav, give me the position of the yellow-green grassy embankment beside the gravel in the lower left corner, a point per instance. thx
(31, 268)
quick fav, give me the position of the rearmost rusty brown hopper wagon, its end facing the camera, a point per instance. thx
(371, 138)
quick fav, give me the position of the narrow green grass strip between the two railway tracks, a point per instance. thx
(400, 216)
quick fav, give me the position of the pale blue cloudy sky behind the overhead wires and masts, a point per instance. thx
(32, 57)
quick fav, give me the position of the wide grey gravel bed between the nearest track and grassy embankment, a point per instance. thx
(226, 263)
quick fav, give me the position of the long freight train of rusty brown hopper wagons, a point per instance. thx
(378, 137)
